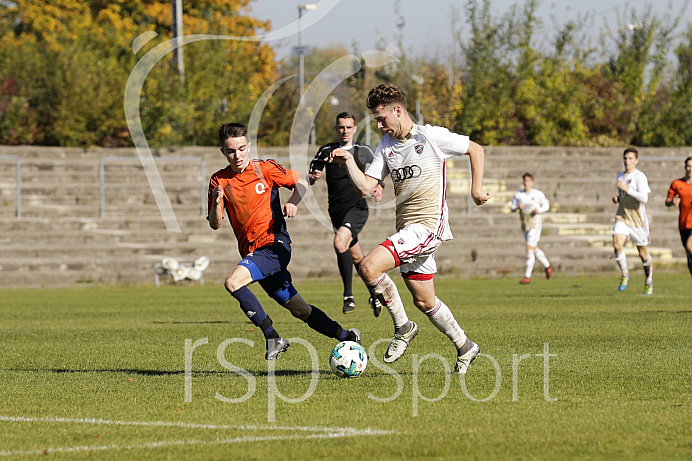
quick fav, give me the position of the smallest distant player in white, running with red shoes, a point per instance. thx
(531, 204)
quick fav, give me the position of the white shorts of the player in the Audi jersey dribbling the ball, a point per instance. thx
(413, 248)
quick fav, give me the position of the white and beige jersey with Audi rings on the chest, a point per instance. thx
(417, 166)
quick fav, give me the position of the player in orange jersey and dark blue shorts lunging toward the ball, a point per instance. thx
(248, 192)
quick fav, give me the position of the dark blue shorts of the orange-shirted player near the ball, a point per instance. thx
(268, 266)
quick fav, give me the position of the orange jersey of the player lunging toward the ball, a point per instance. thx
(251, 200)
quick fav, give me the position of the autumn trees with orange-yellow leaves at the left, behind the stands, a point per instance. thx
(66, 63)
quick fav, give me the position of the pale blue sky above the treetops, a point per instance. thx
(427, 22)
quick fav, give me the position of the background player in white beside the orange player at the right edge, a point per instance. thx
(631, 220)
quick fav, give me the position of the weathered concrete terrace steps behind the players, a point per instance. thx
(61, 238)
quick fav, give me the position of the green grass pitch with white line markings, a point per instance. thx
(573, 370)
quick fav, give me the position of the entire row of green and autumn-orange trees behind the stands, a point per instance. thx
(65, 64)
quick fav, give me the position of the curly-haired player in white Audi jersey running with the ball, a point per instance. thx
(414, 157)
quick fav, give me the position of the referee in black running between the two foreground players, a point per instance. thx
(348, 210)
